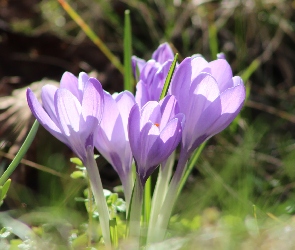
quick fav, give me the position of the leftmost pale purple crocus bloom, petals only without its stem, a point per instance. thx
(72, 112)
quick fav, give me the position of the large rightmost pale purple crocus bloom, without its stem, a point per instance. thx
(208, 95)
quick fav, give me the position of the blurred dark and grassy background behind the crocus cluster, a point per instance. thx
(251, 163)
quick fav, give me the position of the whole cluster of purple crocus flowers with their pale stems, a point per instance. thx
(203, 99)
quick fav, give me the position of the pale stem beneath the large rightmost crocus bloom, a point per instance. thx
(162, 221)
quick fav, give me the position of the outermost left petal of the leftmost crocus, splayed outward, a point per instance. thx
(43, 117)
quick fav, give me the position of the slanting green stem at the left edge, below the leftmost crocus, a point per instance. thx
(22, 151)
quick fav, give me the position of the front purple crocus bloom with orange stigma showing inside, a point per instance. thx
(154, 133)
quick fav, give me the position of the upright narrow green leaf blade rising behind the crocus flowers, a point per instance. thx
(128, 80)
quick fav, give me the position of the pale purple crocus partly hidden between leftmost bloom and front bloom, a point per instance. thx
(112, 136)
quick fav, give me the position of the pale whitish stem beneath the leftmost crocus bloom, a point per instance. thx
(97, 189)
